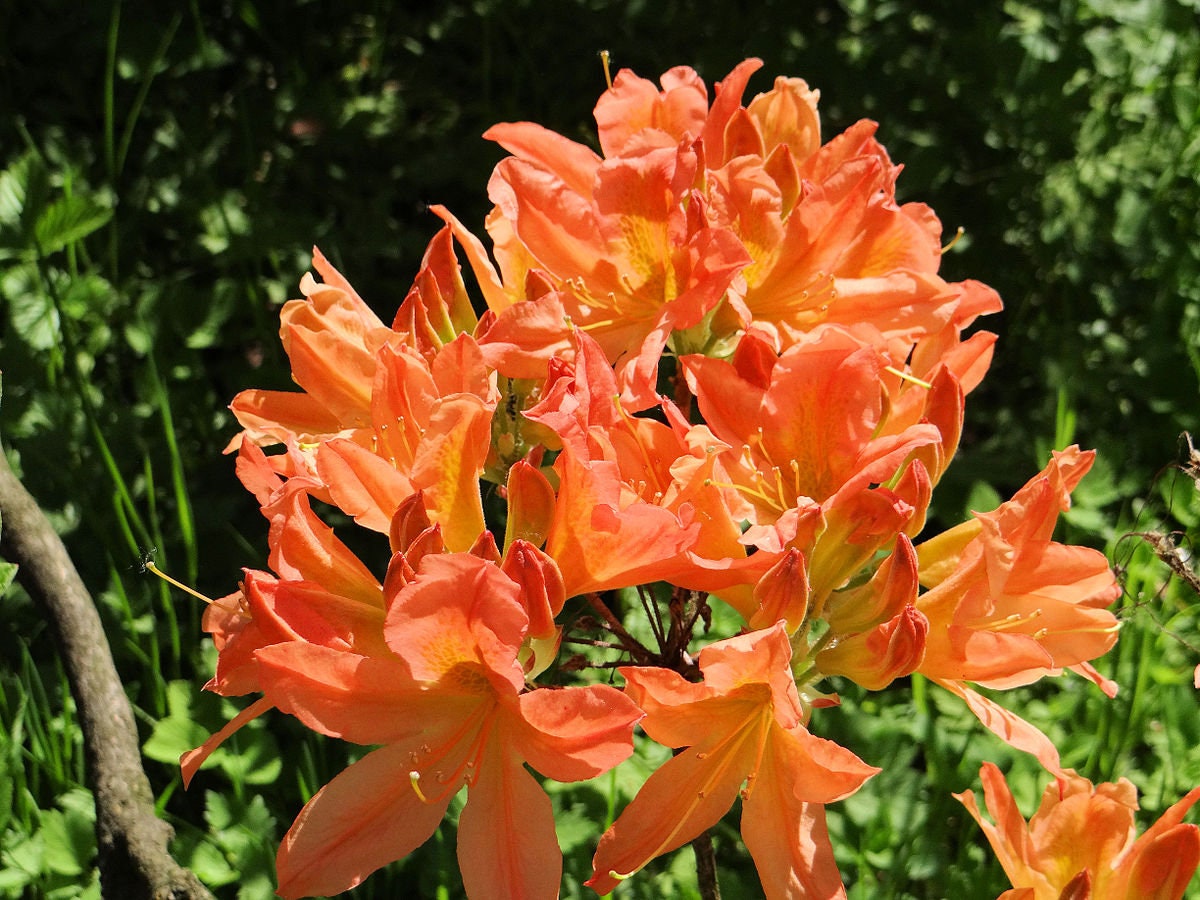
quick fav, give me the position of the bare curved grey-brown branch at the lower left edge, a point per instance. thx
(131, 839)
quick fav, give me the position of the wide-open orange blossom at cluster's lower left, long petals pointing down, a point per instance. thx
(451, 710)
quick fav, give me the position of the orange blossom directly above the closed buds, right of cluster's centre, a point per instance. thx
(811, 459)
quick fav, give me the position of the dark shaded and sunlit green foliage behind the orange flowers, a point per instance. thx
(167, 167)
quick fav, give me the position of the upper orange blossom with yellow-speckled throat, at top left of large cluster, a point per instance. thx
(619, 239)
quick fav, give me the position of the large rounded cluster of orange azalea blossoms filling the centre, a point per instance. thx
(818, 365)
